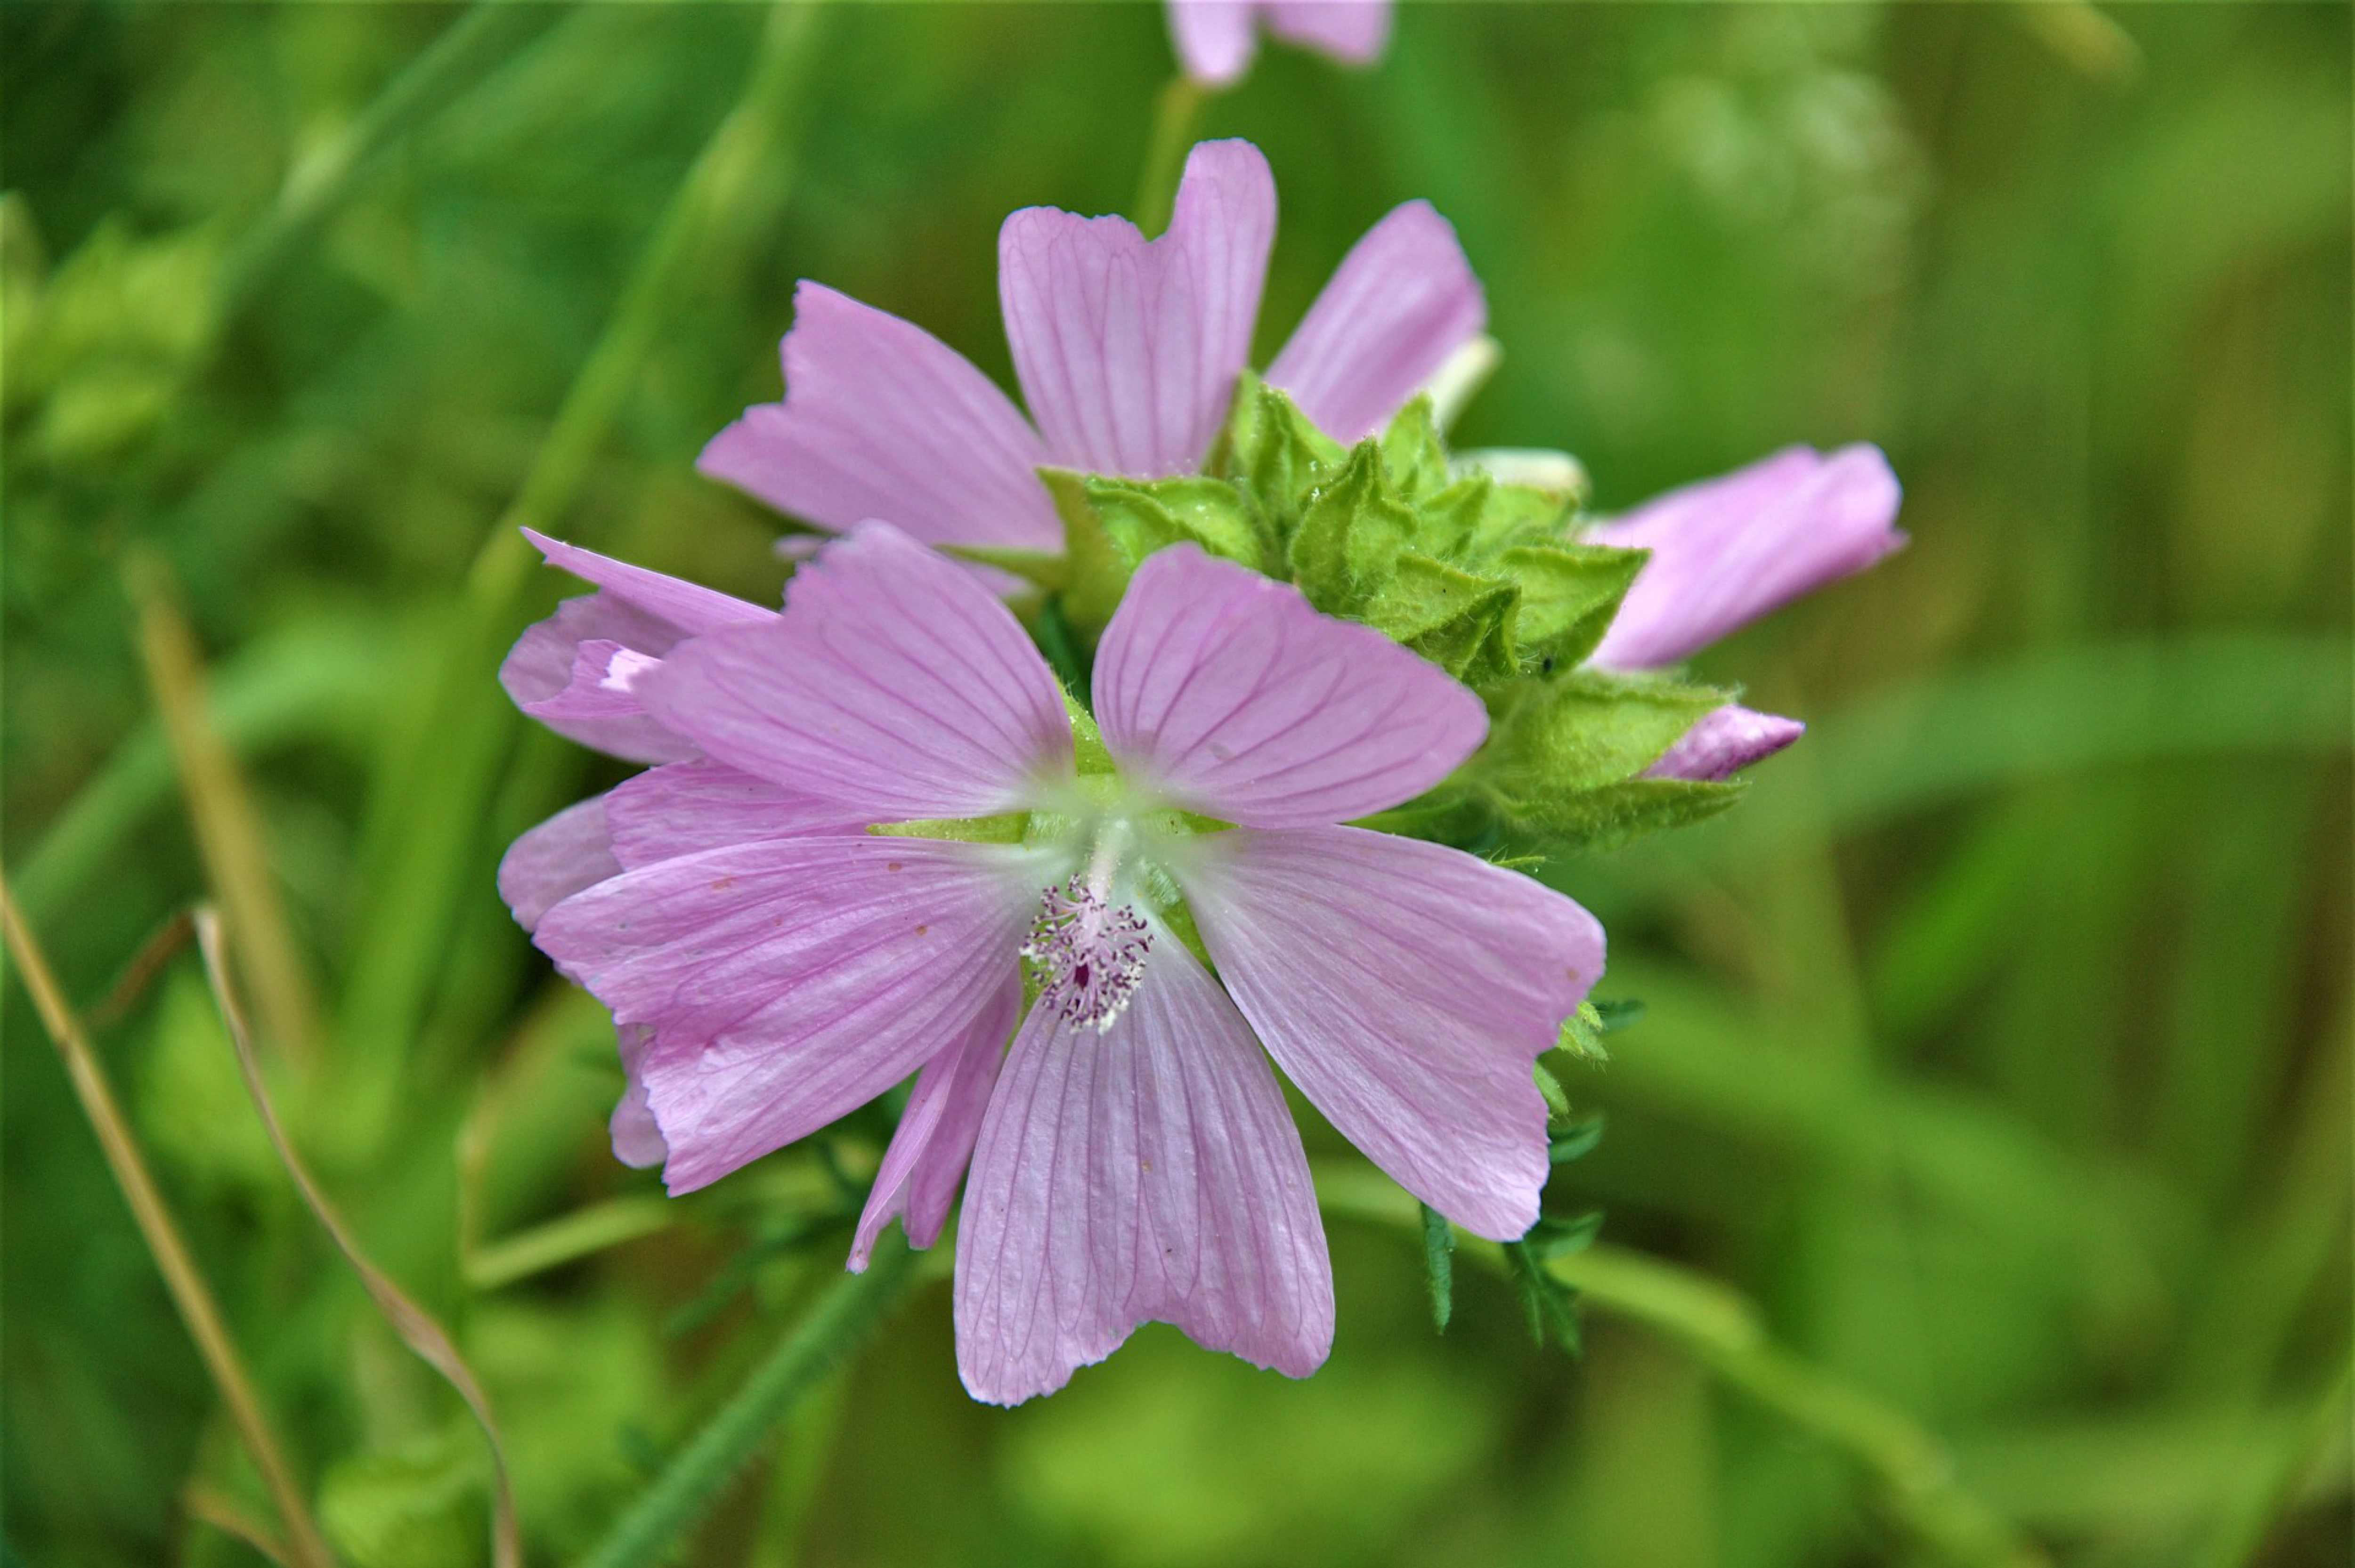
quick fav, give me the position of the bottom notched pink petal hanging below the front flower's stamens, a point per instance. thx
(1146, 1174)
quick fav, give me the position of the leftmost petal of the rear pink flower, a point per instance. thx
(882, 420)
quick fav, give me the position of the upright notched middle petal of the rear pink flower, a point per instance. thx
(1129, 347)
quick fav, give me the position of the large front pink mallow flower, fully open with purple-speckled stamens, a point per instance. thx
(774, 964)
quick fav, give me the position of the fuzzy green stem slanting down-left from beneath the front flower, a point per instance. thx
(686, 1489)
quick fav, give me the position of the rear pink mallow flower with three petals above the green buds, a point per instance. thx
(1127, 350)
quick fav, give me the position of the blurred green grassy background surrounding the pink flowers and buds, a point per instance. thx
(1996, 1061)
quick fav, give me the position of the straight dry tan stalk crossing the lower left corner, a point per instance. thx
(180, 1275)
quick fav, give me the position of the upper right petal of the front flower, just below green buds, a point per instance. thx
(1228, 693)
